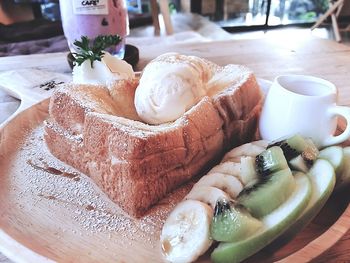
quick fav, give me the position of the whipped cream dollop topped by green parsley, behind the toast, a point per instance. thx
(103, 72)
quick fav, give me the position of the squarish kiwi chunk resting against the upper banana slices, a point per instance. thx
(269, 161)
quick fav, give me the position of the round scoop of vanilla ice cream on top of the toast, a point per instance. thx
(169, 86)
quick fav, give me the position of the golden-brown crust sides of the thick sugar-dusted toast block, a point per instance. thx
(98, 132)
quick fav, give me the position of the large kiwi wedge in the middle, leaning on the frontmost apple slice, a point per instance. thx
(268, 194)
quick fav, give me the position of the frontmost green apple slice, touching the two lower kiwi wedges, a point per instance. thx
(275, 223)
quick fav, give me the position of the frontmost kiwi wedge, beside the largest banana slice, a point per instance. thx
(232, 222)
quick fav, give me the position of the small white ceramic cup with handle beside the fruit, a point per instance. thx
(305, 105)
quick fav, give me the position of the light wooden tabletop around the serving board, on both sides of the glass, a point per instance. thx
(267, 57)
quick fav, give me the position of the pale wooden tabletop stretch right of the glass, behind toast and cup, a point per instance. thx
(270, 57)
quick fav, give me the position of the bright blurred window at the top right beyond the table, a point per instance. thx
(245, 13)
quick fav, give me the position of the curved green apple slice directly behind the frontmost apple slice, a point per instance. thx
(322, 179)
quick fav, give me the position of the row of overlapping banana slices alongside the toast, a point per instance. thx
(186, 233)
